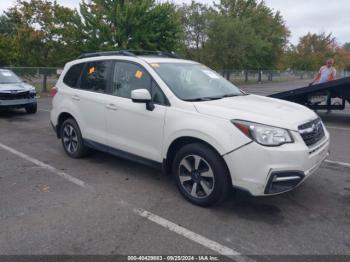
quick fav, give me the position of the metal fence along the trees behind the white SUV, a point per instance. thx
(44, 78)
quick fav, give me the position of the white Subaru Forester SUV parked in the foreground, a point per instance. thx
(183, 117)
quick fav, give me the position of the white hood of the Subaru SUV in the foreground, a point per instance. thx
(259, 109)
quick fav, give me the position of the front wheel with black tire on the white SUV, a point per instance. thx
(212, 171)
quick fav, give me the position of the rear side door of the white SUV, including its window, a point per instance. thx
(90, 98)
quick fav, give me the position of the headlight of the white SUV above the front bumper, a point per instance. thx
(263, 134)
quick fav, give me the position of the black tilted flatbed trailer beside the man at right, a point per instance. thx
(331, 95)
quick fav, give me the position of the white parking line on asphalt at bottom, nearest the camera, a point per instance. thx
(199, 239)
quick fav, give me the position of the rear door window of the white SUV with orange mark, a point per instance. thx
(95, 76)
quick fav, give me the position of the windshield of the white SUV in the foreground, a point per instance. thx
(195, 82)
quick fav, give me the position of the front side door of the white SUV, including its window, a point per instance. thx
(130, 126)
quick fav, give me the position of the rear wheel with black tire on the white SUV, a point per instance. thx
(72, 139)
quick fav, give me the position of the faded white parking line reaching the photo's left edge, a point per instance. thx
(42, 165)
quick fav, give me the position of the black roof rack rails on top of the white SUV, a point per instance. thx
(133, 53)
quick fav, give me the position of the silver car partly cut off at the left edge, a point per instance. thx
(14, 93)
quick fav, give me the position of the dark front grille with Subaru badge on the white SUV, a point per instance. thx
(312, 132)
